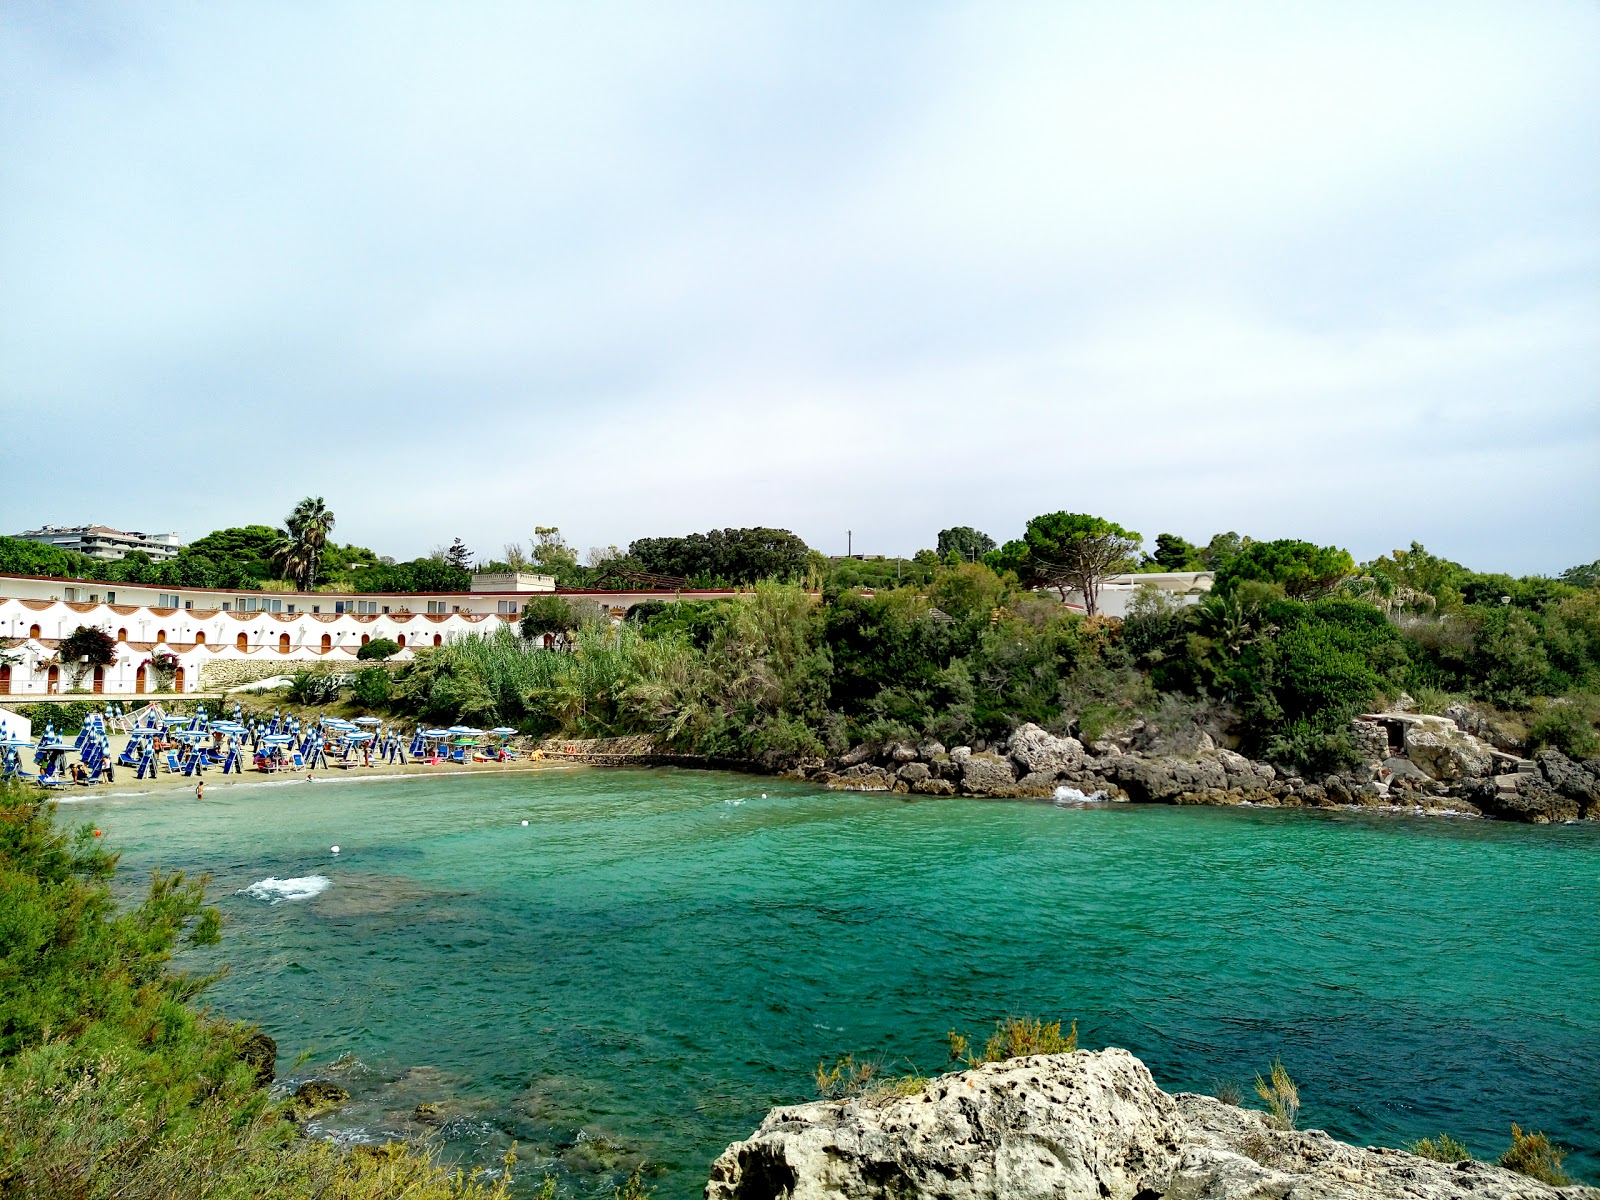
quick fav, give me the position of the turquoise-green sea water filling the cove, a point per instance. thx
(658, 958)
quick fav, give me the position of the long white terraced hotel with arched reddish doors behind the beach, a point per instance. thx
(215, 639)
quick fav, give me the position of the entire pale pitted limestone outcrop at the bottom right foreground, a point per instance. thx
(1076, 1127)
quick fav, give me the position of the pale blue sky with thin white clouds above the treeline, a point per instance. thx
(1324, 271)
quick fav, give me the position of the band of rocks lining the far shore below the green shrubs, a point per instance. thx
(1409, 761)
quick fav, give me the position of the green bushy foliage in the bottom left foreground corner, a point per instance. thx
(113, 1084)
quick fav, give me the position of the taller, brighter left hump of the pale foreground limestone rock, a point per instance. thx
(1046, 1127)
